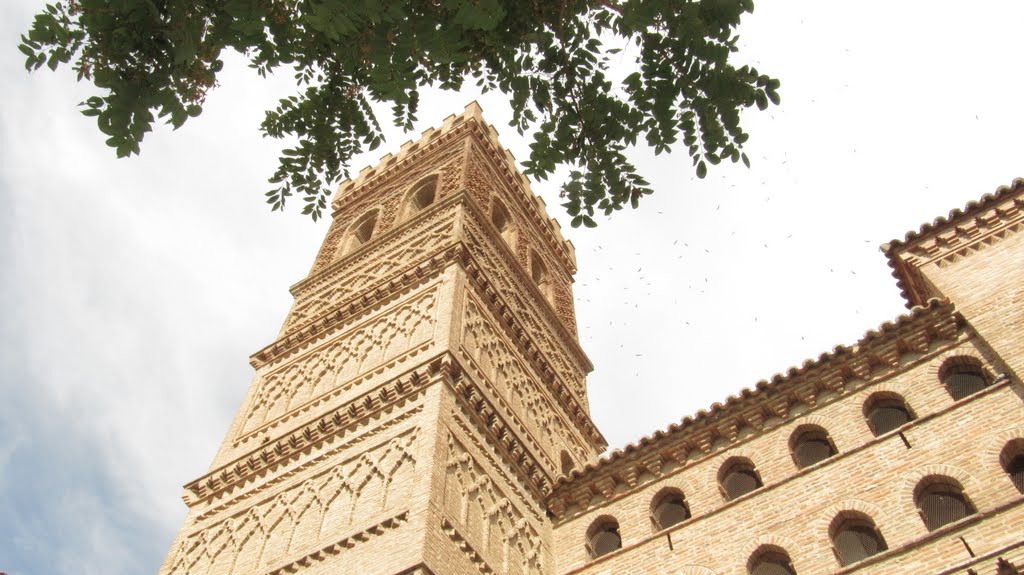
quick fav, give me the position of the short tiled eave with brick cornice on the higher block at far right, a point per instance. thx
(947, 240)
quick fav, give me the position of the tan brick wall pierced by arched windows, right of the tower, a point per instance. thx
(875, 476)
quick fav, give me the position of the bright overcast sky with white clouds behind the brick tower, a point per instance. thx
(134, 291)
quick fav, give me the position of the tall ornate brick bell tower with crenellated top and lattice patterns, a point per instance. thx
(425, 392)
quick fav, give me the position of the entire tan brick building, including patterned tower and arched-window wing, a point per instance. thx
(424, 411)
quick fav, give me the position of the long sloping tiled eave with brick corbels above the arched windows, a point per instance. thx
(833, 376)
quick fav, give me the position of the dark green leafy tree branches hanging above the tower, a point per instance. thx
(160, 59)
